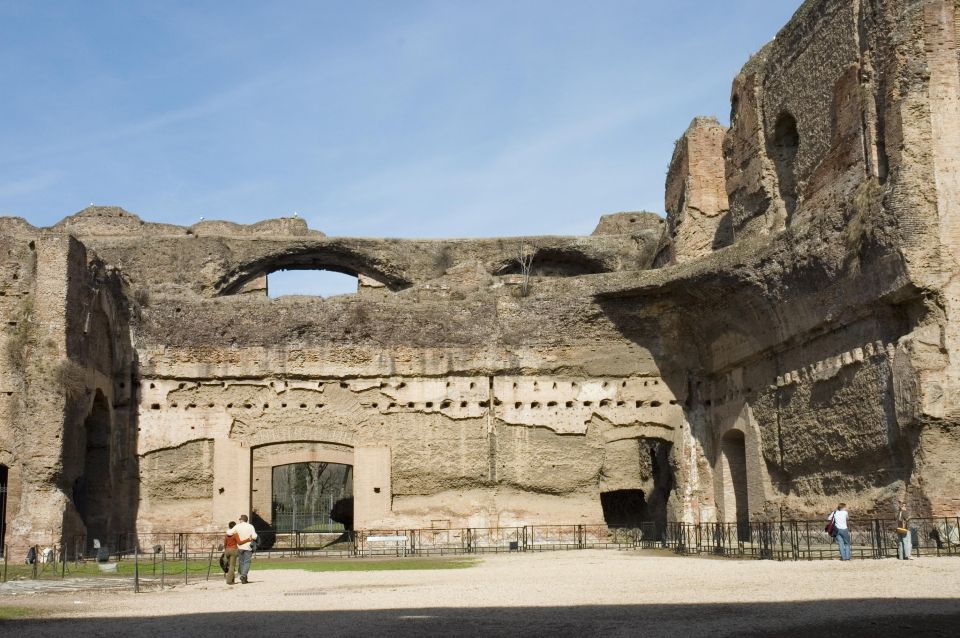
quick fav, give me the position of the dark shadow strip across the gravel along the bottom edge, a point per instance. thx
(878, 618)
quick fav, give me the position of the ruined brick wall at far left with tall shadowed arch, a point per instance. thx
(59, 348)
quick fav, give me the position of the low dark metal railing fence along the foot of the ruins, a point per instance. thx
(156, 559)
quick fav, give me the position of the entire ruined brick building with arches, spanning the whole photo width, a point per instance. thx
(797, 348)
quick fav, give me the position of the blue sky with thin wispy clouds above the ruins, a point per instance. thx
(368, 118)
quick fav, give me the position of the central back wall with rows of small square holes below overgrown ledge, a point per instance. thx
(493, 410)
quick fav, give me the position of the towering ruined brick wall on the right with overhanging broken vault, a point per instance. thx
(829, 343)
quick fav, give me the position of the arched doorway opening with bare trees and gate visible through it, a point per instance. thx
(309, 497)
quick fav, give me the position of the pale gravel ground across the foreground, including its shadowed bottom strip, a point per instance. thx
(612, 593)
